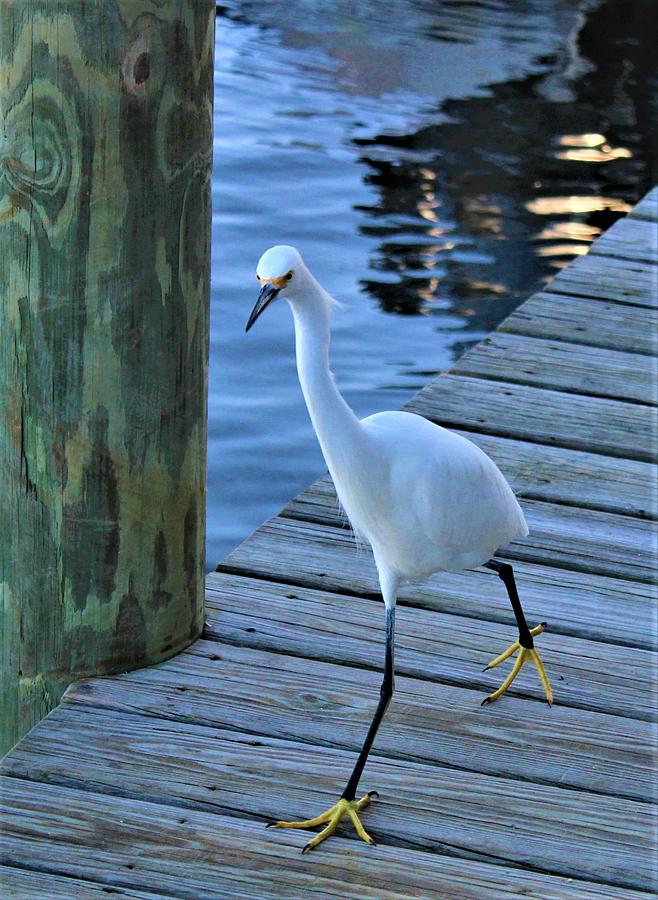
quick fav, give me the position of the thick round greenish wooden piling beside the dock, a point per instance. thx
(105, 165)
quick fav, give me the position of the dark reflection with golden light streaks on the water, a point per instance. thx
(496, 160)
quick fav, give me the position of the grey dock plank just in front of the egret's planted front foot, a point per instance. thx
(194, 853)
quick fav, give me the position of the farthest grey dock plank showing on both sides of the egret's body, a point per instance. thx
(565, 536)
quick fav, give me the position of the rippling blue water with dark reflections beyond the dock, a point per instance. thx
(436, 163)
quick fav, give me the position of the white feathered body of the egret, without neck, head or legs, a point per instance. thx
(446, 505)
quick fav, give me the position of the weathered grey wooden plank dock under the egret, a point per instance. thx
(159, 782)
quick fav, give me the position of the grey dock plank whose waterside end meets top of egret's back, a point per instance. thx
(543, 416)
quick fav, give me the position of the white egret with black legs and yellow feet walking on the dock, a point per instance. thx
(425, 499)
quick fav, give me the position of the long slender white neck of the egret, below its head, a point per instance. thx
(336, 426)
